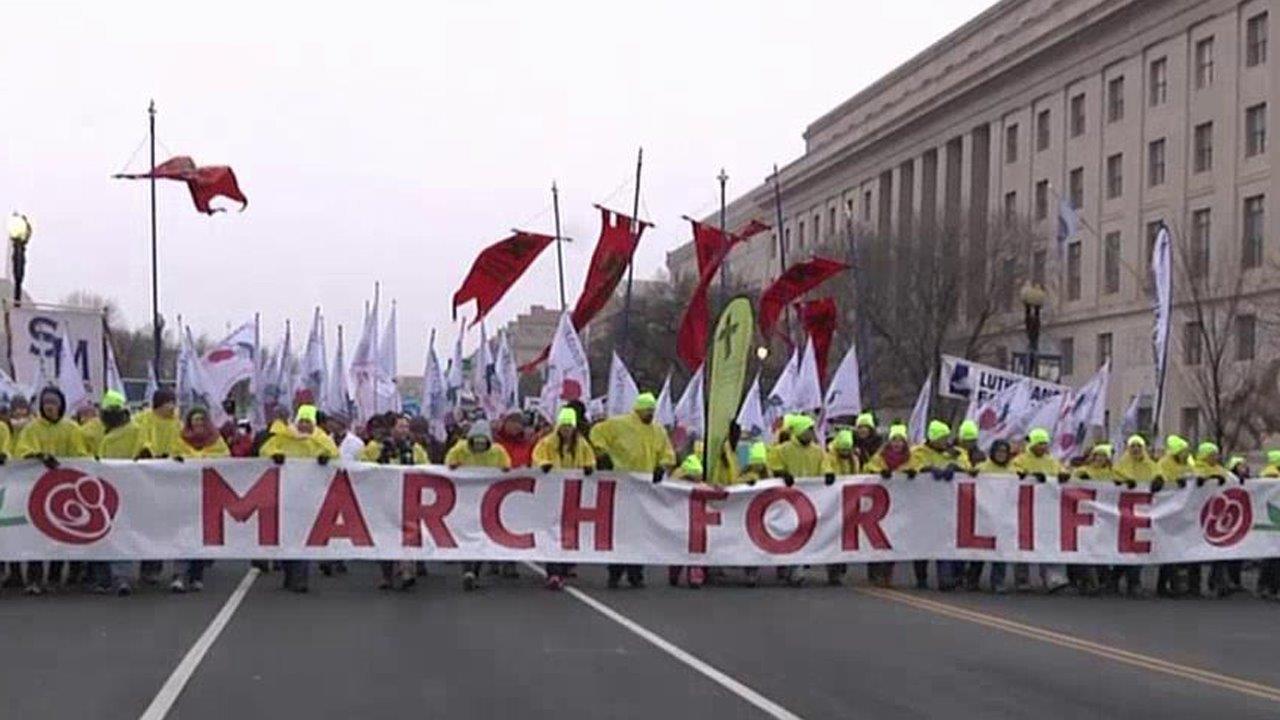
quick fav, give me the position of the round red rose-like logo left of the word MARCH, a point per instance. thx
(72, 508)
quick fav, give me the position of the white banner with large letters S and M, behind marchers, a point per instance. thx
(36, 335)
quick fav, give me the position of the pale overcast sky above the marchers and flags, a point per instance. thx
(391, 143)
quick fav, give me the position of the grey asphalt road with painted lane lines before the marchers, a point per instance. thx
(513, 649)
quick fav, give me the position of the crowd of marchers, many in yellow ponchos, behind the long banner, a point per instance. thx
(629, 443)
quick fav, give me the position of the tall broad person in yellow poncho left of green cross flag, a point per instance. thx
(634, 444)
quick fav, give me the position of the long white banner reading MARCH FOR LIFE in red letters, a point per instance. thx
(240, 509)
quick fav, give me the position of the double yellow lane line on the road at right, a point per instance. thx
(1062, 640)
